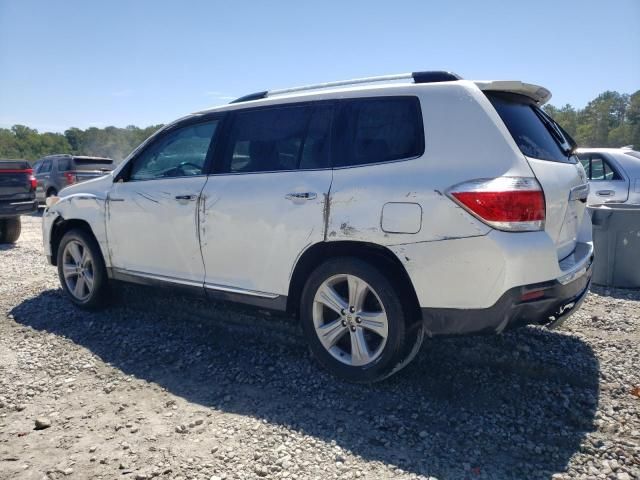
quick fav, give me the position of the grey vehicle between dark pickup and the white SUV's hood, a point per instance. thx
(55, 172)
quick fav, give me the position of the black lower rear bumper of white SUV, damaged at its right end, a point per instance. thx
(554, 302)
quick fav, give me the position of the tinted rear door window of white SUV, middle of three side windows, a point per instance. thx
(280, 138)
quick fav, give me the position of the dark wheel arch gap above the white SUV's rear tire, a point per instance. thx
(377, 255)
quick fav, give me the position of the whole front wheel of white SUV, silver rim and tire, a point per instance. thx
(81, 269)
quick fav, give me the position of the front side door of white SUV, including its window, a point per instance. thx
(152, 221)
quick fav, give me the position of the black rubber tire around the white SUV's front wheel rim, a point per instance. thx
(99, 294)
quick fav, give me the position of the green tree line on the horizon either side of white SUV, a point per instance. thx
(612, 119)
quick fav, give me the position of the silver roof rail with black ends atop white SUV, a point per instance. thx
(418, 77)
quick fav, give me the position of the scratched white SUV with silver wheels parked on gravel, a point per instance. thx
(377, 210)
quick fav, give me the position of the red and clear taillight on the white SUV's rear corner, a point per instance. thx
(513, 204)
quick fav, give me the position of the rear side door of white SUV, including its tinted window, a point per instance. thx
(266, 204)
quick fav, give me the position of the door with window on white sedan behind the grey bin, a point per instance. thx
(608, 183)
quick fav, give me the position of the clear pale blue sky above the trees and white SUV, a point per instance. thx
(116, 62)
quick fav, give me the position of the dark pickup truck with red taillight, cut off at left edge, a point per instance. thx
(17, 197)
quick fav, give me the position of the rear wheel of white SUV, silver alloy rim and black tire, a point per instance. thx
(355, 322)
